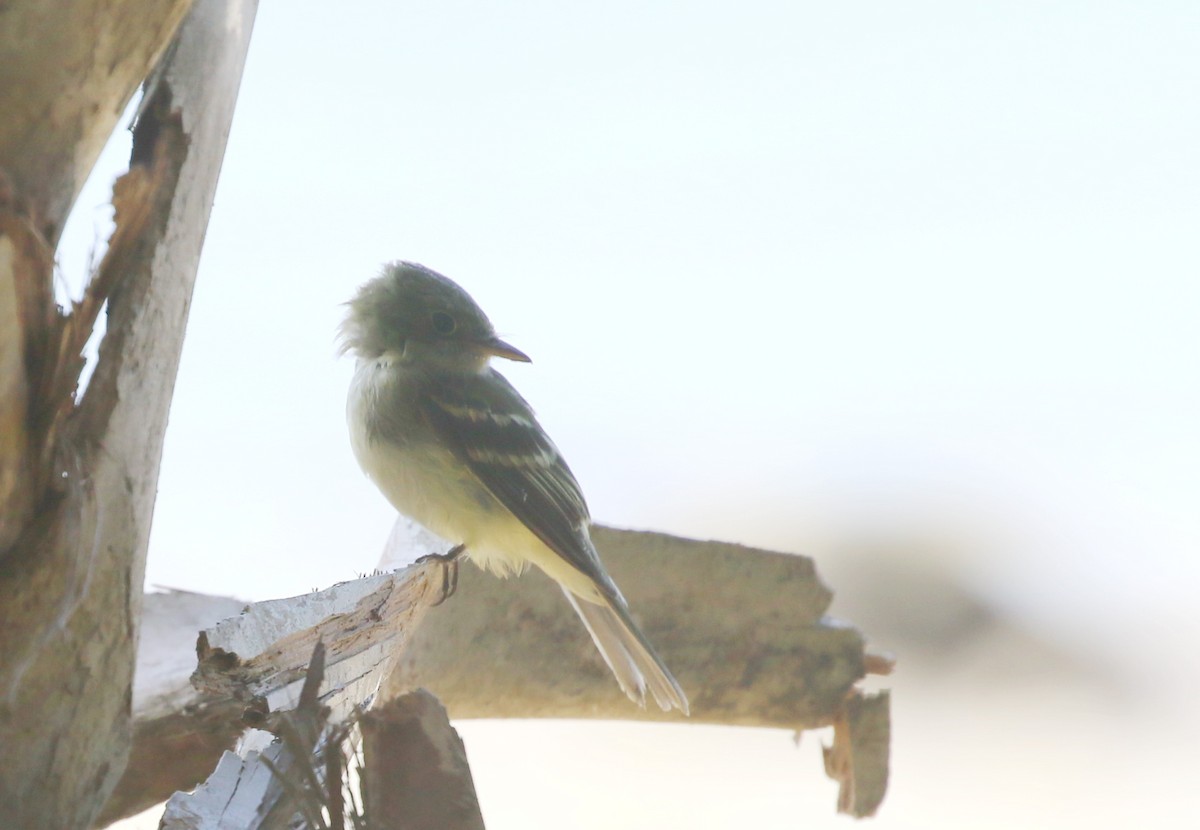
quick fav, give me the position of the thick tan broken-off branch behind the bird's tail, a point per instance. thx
(742, 630)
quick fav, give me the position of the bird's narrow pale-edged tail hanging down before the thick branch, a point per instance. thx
(628, 653)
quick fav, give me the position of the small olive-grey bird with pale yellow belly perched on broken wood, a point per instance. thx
(452, 444)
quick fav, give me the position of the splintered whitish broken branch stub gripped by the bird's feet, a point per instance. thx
(254, 663)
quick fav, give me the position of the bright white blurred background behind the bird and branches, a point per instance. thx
(908, 288)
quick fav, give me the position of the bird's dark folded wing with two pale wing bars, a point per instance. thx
(494, 431)
